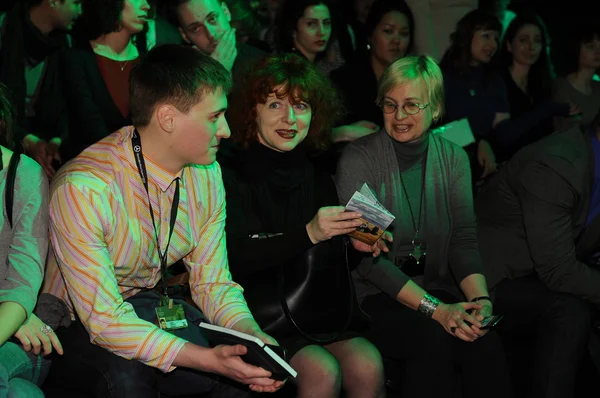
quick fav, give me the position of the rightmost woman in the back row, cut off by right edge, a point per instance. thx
(577, 85)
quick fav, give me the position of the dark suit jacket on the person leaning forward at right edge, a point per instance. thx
(531, 216)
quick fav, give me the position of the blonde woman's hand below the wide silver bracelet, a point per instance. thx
(453, 316)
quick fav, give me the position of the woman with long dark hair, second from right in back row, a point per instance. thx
(526, 70)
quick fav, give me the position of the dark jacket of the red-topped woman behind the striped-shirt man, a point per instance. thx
(92, 112)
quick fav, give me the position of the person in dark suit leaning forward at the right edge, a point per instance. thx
(539, 233)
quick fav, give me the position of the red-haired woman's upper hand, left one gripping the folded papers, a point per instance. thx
(331, 221)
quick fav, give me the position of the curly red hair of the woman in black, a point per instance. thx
(296, 78)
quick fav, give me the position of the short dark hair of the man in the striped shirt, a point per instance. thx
(173, 74)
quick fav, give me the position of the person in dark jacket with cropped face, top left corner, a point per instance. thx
(33, 34)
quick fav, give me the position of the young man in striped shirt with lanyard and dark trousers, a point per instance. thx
(111, 212)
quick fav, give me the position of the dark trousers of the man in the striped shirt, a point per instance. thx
(91, 370)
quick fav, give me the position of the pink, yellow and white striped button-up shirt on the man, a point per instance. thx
(104, 246)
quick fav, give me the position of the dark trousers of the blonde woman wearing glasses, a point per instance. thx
(432, 356)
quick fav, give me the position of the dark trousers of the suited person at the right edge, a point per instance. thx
(554, 327)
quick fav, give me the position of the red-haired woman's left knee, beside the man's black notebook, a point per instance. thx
(318, 369)
